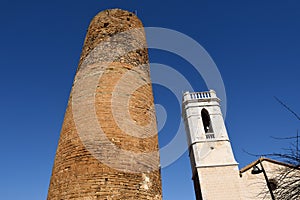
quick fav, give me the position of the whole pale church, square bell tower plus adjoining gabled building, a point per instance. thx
(215, 171)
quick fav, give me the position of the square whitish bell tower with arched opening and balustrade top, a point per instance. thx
(215, 171)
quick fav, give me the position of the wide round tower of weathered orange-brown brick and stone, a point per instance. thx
(108, 146)
